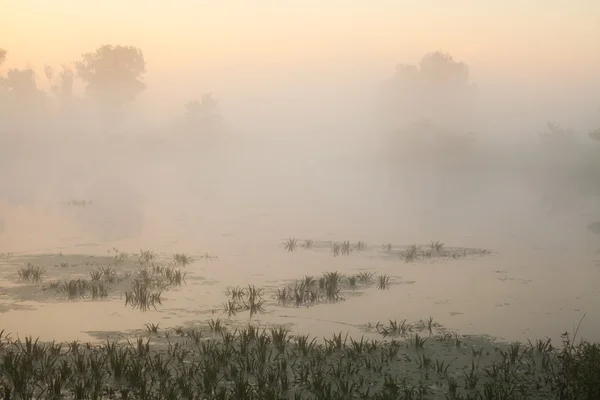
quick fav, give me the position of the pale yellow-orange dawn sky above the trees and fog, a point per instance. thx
(226, 42)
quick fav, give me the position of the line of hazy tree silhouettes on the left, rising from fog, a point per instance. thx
(113, 76)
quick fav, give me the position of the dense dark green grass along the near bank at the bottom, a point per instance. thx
(270, 363)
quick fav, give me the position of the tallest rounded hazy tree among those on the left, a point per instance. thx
(113, 76)
